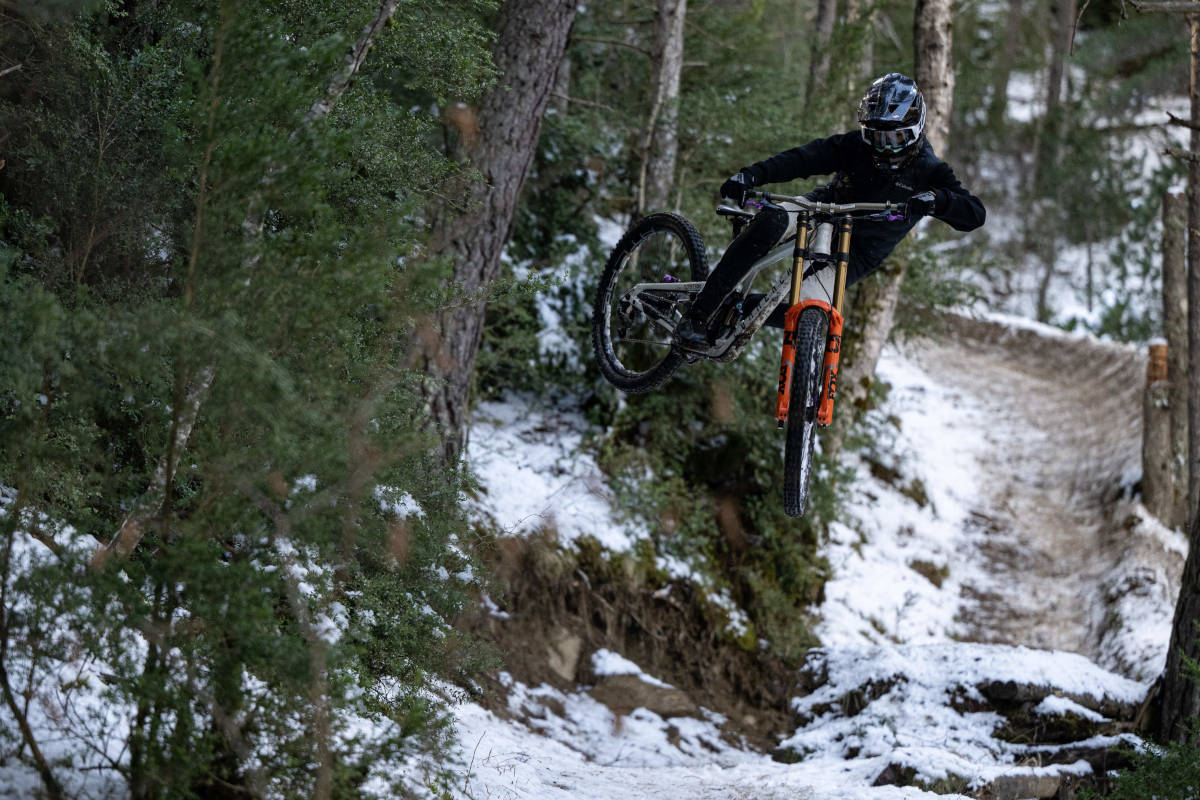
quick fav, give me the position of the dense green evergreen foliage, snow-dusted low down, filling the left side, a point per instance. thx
(179, 244)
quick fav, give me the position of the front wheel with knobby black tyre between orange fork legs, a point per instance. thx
(802, 414)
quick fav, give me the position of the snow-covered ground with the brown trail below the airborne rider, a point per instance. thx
(914, 572)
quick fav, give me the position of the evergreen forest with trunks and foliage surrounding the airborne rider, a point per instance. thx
(243, 329)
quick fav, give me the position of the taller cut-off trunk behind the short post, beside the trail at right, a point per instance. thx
(1175, 329)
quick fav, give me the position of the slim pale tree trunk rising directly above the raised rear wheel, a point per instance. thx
(662, 135)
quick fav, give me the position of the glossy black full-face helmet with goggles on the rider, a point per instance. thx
(893, 121)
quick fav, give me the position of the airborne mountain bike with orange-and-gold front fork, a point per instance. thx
(659, 266)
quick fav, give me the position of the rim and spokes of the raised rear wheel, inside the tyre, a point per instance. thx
(639, 330)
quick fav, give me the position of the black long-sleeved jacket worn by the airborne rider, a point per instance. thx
(856, 181)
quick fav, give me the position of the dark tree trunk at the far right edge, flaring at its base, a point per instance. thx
(1181, 696)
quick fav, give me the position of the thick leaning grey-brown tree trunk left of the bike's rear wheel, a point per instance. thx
(500, 141)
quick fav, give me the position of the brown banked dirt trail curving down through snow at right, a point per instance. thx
(1066, 437)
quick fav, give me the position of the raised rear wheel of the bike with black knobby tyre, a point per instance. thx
(632, 332)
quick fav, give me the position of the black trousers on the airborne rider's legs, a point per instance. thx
(758, 239)
